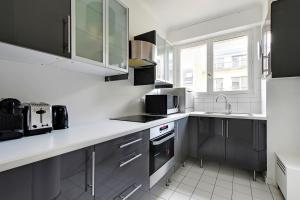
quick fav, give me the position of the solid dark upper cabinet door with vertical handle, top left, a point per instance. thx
(37, 24)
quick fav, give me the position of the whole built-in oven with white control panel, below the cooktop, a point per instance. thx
(162, 139)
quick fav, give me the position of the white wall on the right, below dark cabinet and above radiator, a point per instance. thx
(283, 111)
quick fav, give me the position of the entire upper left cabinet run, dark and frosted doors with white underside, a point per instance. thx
(91, 34)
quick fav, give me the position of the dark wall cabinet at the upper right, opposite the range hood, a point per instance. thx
(285, 43)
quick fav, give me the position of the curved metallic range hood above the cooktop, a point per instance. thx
(141, 54)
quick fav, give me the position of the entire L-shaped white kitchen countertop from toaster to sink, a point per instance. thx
(19, 152)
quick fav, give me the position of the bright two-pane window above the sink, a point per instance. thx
(217, 65)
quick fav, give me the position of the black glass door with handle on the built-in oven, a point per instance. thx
(161, 150)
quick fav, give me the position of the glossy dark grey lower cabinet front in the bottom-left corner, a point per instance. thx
(40, 180)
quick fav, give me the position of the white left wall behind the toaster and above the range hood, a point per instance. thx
(88, 97)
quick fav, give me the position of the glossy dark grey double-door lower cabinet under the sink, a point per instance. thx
(240, 142)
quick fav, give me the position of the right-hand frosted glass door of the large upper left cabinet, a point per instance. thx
(117, 35)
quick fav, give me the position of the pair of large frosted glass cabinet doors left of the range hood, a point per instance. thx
(101, 33)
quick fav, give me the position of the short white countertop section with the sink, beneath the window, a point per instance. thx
(233, 115)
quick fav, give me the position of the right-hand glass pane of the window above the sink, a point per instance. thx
(231, 64)
